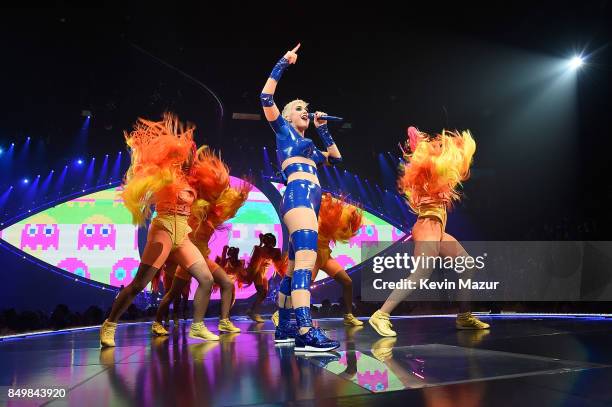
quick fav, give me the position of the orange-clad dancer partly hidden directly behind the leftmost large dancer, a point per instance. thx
(221, 208)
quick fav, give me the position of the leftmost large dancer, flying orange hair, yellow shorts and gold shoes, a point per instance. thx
(164, 172)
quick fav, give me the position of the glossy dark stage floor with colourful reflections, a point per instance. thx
(521, 360)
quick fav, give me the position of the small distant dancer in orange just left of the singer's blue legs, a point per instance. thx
(261, 258)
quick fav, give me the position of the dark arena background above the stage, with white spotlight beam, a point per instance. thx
(542, 167)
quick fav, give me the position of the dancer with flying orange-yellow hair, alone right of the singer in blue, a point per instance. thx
(435, 167)
